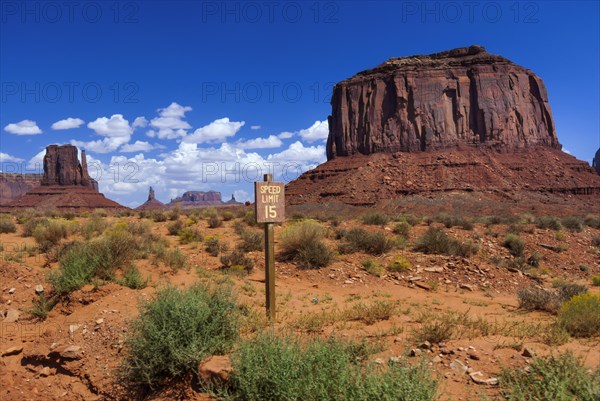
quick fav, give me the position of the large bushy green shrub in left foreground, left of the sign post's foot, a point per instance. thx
(176, 330)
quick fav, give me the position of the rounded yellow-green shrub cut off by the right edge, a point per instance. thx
(580, 316)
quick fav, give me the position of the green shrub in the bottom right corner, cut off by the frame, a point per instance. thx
(558, 378)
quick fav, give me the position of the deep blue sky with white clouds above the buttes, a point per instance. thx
(198, 95)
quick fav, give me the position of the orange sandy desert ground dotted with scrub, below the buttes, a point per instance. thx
(449, 296)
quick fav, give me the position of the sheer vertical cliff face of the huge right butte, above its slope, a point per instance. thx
(459, 97)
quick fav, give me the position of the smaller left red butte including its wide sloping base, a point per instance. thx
(65, 184)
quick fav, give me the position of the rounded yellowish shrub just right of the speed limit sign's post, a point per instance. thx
(303, 244)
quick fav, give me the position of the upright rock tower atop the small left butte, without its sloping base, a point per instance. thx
(62, 167)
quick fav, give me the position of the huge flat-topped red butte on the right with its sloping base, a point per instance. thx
(459, 120)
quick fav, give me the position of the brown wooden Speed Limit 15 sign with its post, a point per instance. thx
(269, 208)
